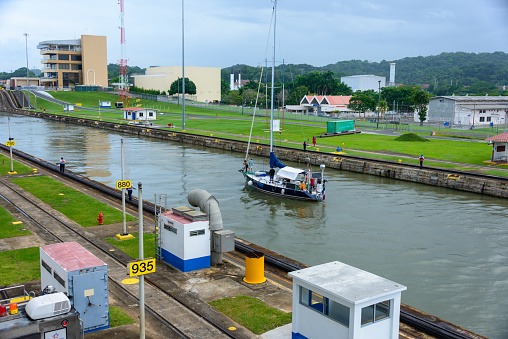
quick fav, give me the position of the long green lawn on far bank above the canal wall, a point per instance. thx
(208, 122)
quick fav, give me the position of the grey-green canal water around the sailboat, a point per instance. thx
(450, 248)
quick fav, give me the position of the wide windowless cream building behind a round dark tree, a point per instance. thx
(206, 79)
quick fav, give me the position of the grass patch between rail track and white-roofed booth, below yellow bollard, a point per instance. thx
(252, 313)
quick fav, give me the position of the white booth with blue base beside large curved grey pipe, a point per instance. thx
(185, 238)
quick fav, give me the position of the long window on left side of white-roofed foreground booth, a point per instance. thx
(327, 307)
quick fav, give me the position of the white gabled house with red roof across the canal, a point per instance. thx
(319, 104)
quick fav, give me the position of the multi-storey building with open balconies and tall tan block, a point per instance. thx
(67, 63)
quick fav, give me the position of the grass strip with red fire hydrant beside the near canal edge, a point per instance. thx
(77, 206)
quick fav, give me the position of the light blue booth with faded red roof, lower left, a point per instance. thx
(73, 270)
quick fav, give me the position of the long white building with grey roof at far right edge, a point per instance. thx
(468, 110)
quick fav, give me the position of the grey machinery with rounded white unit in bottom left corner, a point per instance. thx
(23, 316)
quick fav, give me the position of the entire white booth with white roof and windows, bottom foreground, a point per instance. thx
(335, 300)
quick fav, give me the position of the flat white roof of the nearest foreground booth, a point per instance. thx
(347, 282)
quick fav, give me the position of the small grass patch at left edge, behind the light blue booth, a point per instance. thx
(19, 266)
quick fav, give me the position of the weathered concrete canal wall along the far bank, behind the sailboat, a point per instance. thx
(463, 182)
